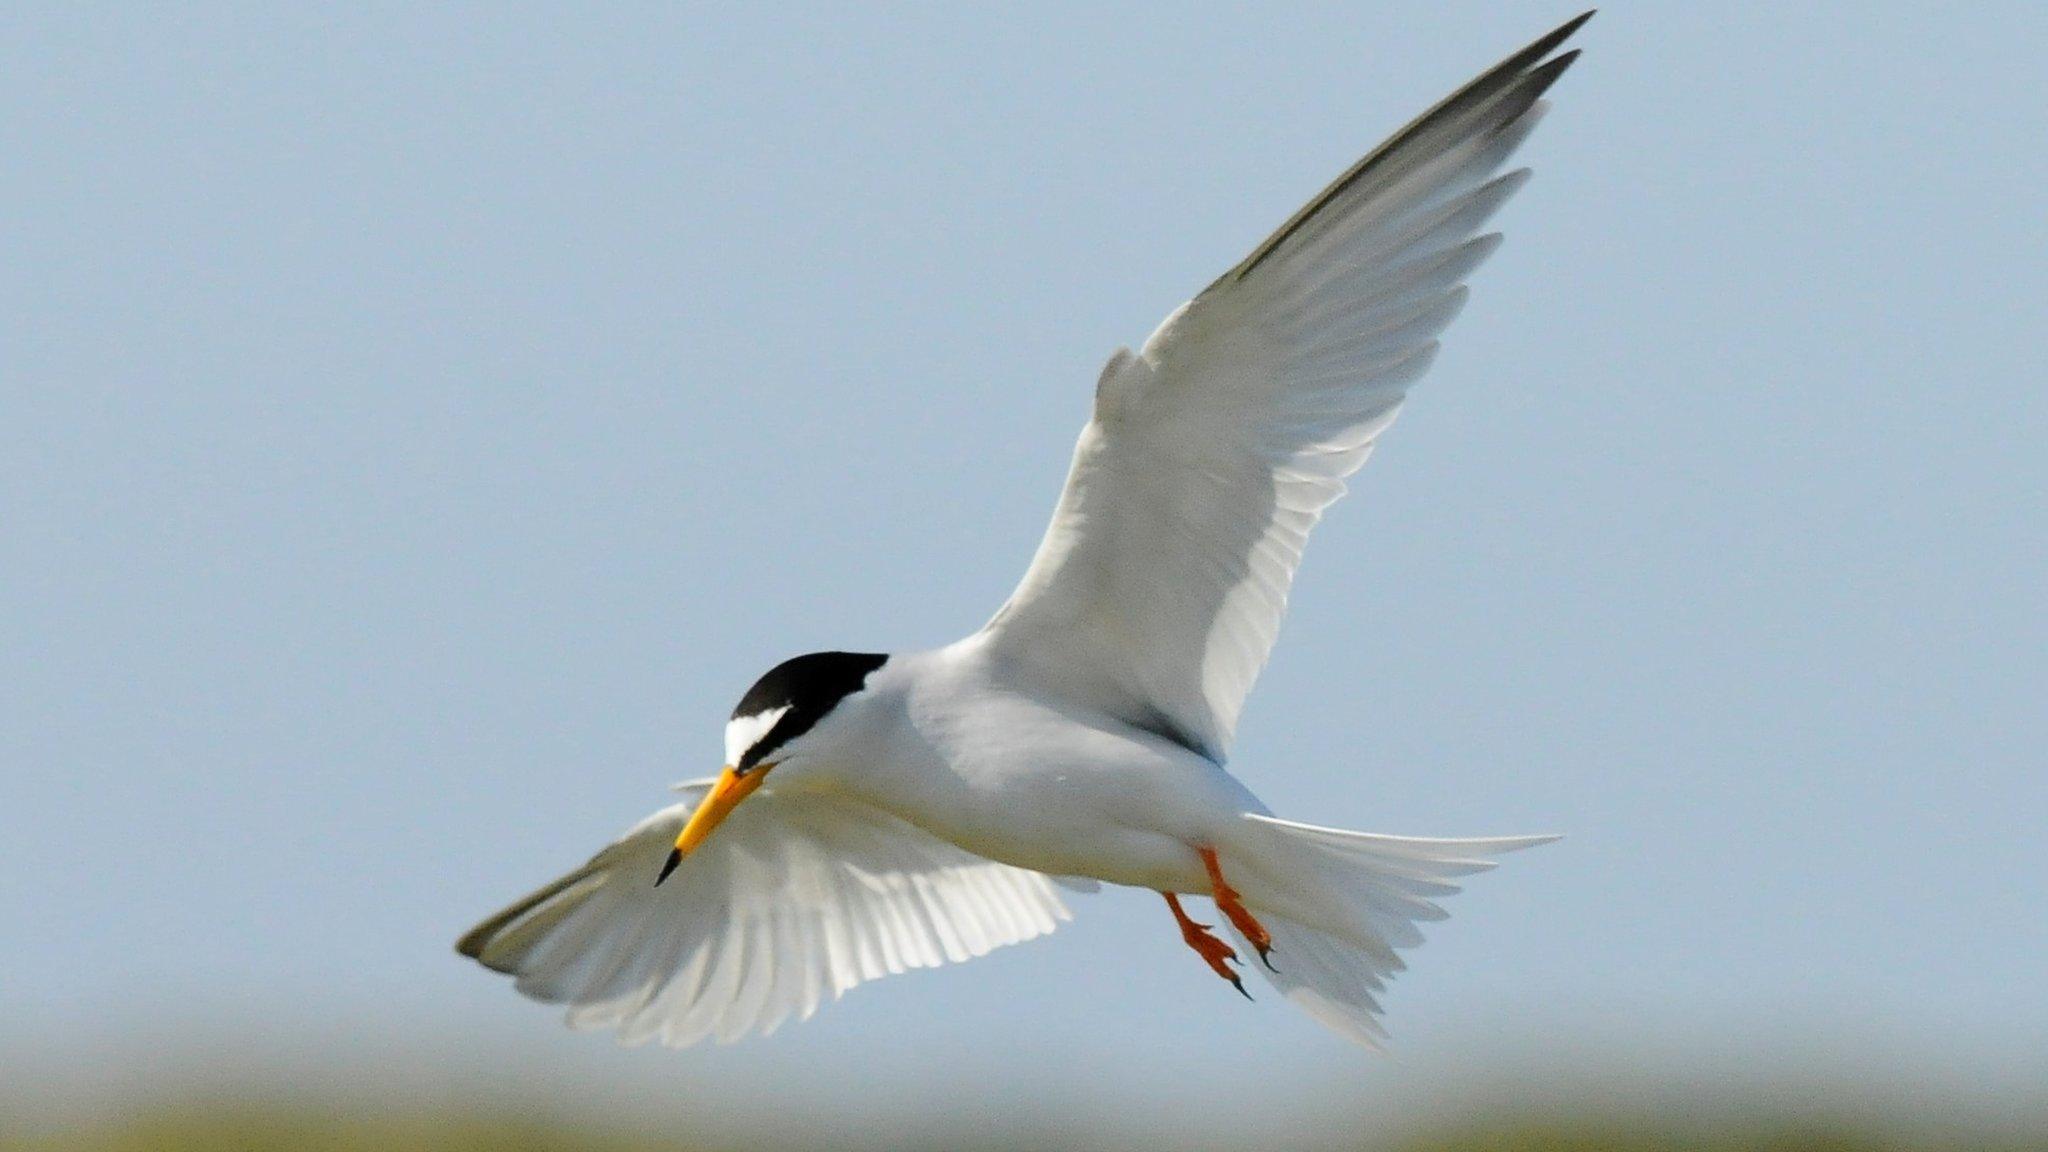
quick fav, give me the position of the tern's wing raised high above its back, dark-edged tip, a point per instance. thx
(1215, 450)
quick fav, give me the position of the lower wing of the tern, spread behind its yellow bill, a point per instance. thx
(798, 899)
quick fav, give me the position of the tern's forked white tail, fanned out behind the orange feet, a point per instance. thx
(1340, 905)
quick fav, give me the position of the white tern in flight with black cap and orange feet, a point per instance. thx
(882, 813)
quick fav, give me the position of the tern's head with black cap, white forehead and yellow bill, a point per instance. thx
(787, 721)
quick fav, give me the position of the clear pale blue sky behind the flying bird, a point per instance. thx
(417, 429)
